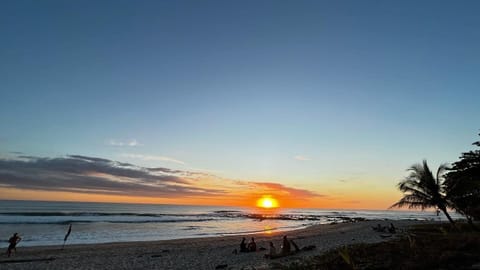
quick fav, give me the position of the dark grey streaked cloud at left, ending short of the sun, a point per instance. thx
(96, 175)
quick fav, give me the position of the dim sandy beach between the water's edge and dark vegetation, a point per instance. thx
(197, 253)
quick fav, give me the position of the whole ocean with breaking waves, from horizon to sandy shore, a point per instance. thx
(46, 223)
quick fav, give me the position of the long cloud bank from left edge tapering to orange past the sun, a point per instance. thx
(94, 175)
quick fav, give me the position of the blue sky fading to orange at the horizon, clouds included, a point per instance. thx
(318, 103)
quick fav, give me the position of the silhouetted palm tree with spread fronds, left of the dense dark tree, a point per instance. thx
(422, 190)
